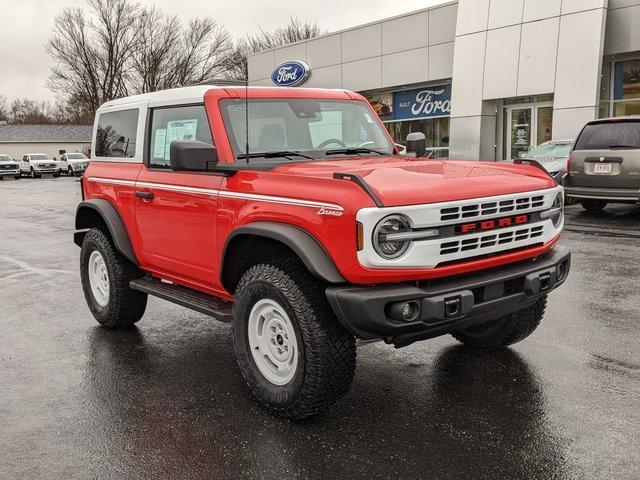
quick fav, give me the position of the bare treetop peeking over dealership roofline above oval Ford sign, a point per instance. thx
(294, 31)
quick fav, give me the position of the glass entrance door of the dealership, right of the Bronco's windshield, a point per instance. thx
(527, 126)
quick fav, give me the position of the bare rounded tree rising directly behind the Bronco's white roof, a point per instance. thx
(170, 55)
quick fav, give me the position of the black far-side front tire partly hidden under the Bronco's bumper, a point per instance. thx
(505, 331)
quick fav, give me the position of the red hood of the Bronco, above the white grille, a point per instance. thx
(403, 181)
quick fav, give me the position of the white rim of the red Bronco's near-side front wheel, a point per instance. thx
(273, 342)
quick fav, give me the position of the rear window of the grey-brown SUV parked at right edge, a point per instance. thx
(604, 136)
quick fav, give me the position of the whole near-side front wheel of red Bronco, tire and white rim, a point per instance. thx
(293, 353)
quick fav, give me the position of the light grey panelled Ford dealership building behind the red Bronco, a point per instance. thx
(482, 79)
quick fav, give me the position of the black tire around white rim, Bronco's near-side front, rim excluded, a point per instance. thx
(326, 351)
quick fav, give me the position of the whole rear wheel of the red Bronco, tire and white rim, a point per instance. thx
(105, 275)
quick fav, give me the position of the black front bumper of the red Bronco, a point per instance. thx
(447, 305)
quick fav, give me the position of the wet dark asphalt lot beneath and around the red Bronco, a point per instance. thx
(165, 399)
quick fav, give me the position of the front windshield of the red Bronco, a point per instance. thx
(314, 128)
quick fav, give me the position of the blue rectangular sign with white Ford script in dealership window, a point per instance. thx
(422, 103)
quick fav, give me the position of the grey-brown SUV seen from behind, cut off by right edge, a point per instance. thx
(604, 166)
